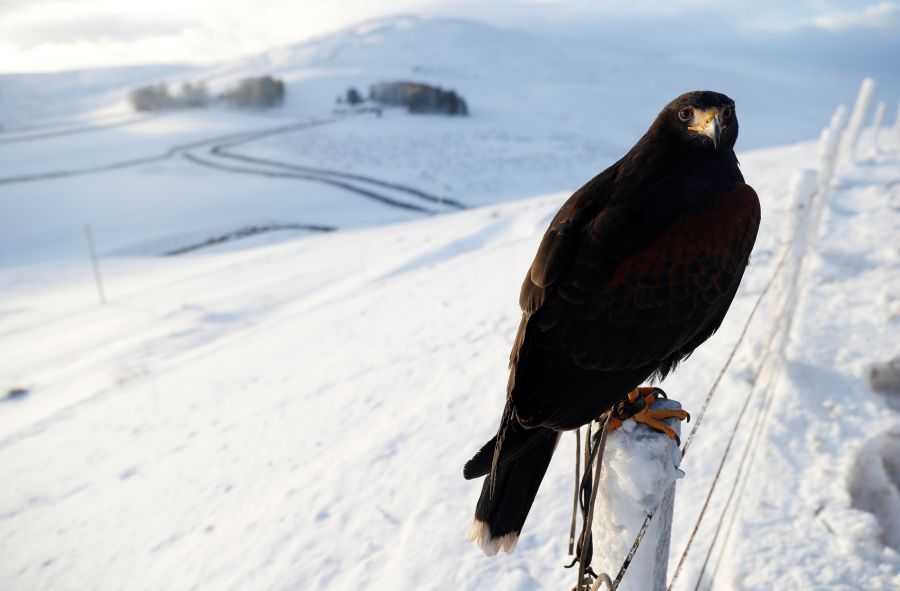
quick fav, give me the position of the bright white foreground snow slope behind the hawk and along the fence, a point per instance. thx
(296, 416)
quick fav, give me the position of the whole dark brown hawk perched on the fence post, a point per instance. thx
(636, 270)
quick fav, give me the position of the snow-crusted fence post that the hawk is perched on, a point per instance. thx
(640, 467)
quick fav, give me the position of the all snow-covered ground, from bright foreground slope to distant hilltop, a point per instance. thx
(293, 410)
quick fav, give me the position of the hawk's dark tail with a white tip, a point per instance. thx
(500, 514)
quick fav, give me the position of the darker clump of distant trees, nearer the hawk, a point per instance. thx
(415, 96)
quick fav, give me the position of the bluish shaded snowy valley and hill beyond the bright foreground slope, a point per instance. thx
(547, 114)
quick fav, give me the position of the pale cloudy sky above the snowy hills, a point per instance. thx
(50, 35)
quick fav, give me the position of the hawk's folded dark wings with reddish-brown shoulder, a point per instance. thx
(603, 297)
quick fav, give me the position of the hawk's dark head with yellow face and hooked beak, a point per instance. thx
(702, 118)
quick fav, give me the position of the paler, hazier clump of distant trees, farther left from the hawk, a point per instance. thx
(259, 93)
